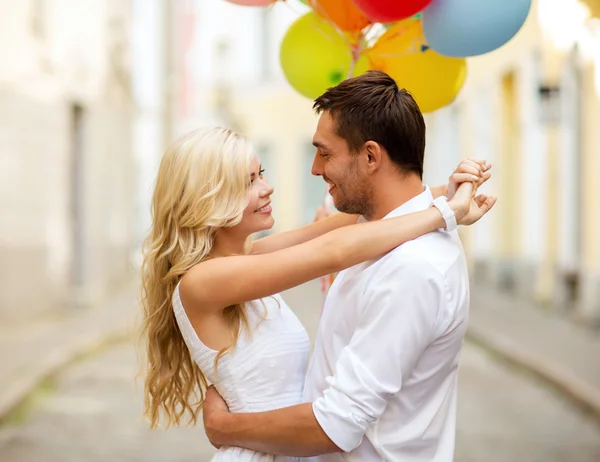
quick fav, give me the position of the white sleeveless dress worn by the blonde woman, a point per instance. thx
(265, 371)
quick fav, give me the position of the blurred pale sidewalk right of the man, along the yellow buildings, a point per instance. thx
(564, 354)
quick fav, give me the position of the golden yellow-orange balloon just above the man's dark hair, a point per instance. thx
(434, 80)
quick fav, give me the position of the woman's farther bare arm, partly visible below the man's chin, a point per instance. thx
(287, 239)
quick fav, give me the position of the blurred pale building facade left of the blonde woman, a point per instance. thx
(66, 165)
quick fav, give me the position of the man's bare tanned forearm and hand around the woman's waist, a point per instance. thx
(288, 431)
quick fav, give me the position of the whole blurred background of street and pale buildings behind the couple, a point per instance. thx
(92, 92)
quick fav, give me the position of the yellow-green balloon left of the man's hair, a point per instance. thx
(315, 57)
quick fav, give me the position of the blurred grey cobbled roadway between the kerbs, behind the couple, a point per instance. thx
(91, 412)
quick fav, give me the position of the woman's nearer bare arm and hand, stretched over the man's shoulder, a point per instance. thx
(214, 284)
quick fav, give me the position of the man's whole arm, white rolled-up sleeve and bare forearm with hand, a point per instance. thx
(395, 327)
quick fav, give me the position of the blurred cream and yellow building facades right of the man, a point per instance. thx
(532, 108)
